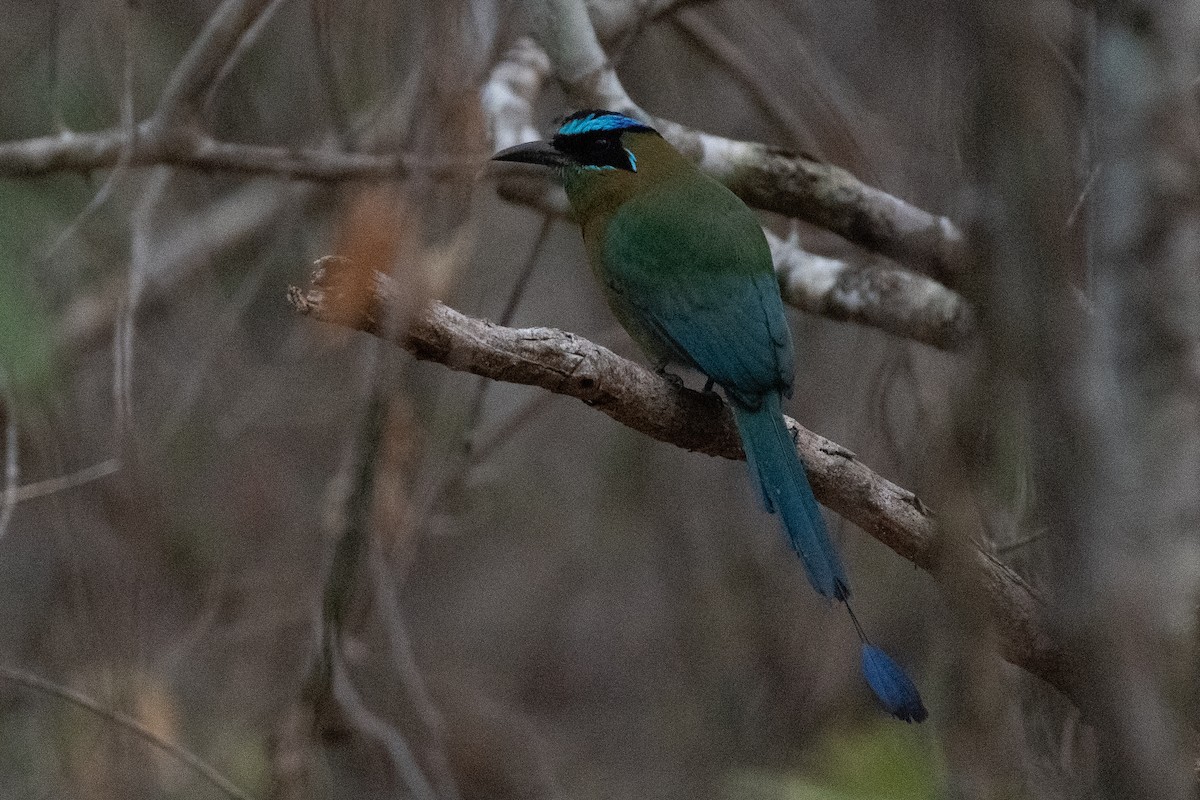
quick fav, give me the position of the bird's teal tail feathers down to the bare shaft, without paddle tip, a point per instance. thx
(785, 489)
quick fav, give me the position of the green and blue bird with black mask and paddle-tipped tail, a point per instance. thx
(686, 268)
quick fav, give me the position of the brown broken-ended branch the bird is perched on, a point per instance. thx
(569, 365)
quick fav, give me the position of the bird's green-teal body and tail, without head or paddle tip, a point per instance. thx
(711, 302)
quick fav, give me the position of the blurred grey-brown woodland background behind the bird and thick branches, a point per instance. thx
(329, 570)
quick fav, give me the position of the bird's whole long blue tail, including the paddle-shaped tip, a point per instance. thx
(785, 489)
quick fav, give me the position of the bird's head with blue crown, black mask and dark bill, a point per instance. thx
(589, 142)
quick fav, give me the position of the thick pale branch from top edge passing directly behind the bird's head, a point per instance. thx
(764, 177)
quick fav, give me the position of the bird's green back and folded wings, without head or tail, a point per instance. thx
(687, 270)
